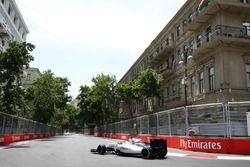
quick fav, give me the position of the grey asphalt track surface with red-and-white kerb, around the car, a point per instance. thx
(73, 150)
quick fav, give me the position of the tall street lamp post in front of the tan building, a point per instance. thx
(186, 56)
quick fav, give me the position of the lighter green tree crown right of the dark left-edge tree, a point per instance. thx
(49, 97)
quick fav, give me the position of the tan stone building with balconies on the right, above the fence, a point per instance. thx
(216, 40)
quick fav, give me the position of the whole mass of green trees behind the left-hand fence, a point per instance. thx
(46, 101)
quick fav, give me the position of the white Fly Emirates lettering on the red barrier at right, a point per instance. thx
(204, 145)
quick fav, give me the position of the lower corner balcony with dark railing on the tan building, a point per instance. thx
(226, 35)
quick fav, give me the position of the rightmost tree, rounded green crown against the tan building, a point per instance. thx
(149, 83)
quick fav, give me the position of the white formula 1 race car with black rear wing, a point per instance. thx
(135, 147)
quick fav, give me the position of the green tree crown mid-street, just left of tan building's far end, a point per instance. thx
(97, 103)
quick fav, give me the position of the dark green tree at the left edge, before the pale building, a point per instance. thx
(13, 61)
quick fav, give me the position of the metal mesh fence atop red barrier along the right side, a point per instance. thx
(213, 120)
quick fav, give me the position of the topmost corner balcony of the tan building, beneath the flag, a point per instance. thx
(200, 18)
